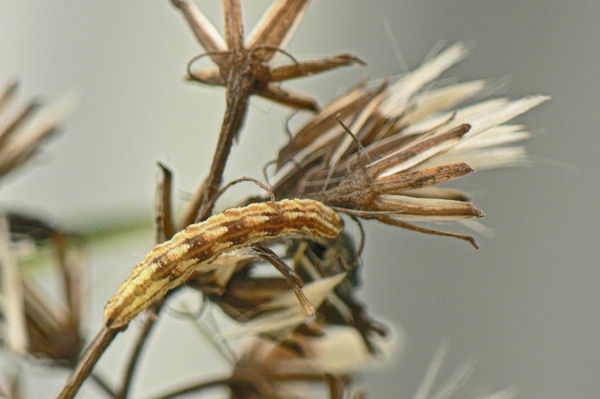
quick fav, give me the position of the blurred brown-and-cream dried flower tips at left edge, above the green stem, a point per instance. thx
(24, 129)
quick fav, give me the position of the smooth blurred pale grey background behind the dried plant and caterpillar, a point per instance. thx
(525, 307)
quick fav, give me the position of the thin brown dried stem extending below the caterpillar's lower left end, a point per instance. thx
(87, 362)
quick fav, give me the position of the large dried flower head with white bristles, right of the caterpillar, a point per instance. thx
(401, 140)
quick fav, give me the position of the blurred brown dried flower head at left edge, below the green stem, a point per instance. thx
(34, 323)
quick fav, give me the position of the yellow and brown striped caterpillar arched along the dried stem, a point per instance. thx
(171, 263)
